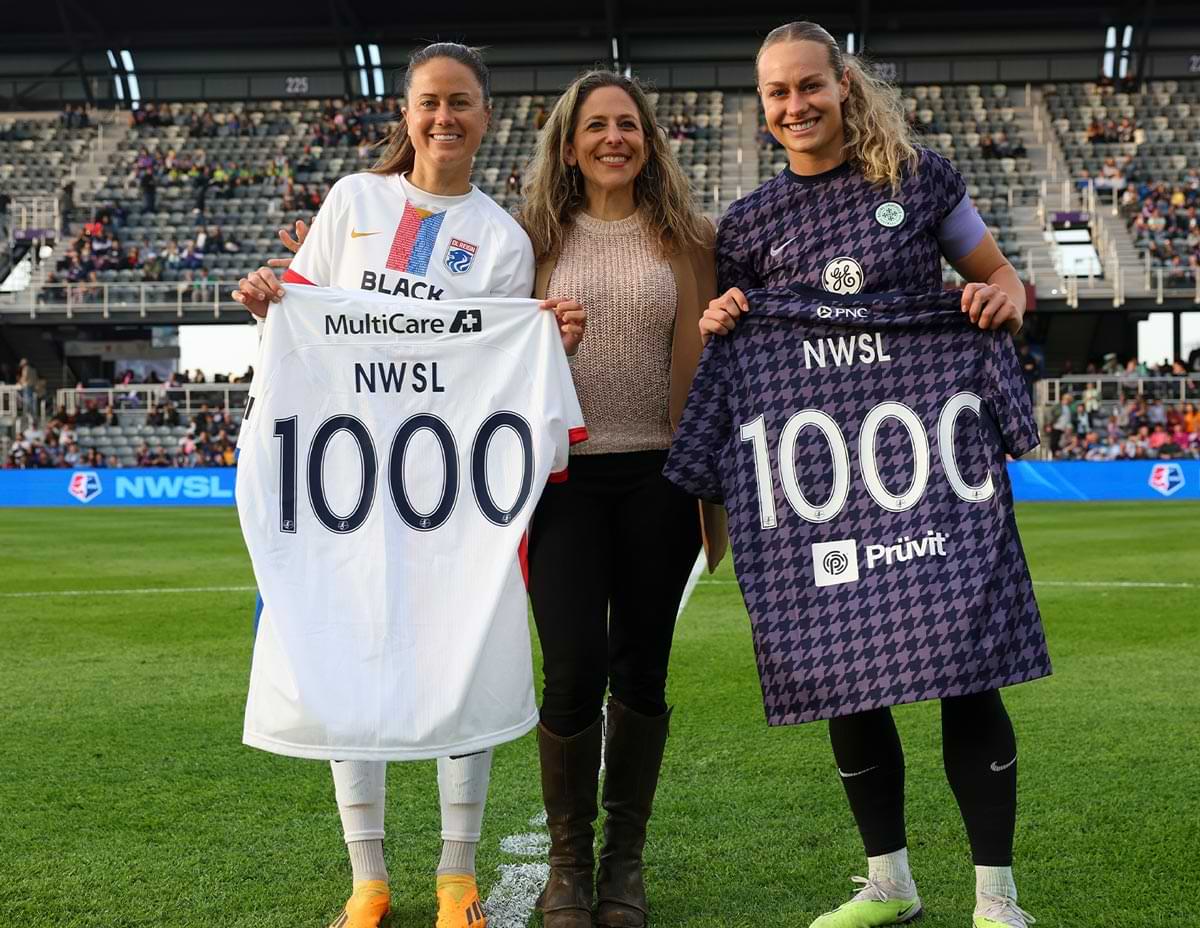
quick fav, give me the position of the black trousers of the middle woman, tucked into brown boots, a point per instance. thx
(610, 553)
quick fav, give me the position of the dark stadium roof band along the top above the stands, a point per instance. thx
(230, 23)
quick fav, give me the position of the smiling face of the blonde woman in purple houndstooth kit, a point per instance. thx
(802, 101)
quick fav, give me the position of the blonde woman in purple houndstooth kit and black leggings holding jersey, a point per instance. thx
(862, 209)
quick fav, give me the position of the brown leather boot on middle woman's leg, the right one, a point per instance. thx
(633, 758)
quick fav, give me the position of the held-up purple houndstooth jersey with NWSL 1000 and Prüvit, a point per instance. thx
(859, 445)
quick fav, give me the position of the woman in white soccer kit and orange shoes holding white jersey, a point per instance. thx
(416, 227)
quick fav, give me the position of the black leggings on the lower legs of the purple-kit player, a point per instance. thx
(980, 756)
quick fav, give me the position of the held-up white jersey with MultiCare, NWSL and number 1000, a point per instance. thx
(389, 464)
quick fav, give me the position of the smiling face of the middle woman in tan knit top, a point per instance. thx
(609, 141)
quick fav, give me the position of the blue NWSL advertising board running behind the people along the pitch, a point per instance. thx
(1033, 482)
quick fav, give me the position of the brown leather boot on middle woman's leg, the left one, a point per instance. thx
(571, 770)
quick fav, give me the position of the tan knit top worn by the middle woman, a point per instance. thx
(622, 370)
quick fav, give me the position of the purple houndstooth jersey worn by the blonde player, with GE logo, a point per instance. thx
(839, 234)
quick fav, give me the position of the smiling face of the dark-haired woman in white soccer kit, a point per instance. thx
(447, 115)
